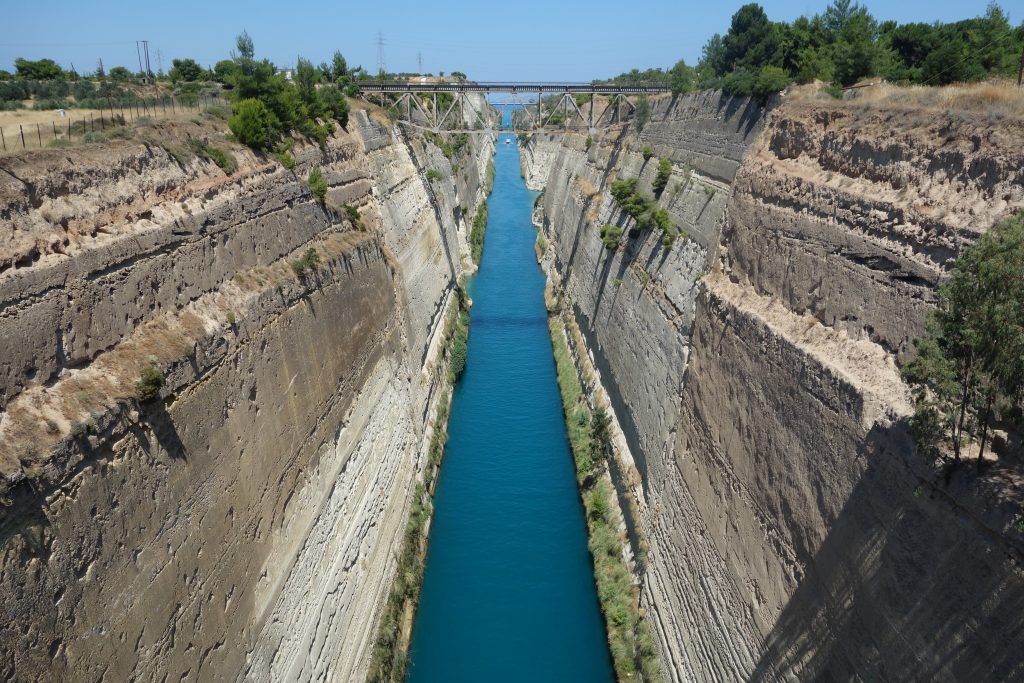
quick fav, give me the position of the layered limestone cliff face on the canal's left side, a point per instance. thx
(245, 525)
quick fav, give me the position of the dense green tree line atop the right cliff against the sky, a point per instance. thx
(843, 46)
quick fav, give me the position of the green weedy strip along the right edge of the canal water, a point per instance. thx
(590, 440)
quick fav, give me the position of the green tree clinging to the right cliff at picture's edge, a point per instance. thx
(969, 372)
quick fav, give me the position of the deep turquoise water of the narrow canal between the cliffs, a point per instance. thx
(508, 593)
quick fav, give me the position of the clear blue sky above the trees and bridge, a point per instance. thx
(521, 39)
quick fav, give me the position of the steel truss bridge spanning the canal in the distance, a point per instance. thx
(538, 103)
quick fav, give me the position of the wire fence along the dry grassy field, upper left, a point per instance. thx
(70, 126)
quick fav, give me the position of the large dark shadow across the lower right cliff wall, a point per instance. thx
(909, 585)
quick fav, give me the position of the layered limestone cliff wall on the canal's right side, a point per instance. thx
(791, 530)
